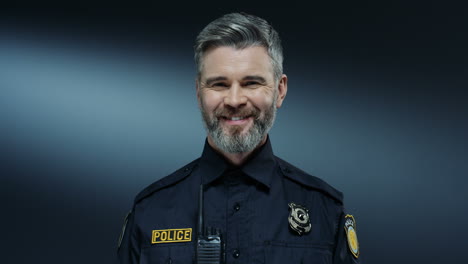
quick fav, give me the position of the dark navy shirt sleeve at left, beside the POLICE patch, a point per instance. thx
(128, 251)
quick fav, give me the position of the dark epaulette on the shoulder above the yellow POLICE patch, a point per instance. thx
(173, 178)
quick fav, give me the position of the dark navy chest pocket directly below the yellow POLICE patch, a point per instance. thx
(177, 253)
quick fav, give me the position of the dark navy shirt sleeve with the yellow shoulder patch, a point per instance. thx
(343, 253)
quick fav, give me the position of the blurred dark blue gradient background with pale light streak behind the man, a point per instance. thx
(98, 100)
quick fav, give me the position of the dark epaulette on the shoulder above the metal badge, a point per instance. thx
(308, 180)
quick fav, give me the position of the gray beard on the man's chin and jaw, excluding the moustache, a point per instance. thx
(237, 142)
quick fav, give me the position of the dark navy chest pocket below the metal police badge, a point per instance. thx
(294, 253)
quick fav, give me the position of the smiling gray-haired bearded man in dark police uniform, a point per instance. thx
(262, 209)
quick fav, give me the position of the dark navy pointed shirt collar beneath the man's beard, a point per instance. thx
(260, 166)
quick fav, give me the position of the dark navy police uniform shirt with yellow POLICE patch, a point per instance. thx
(249, 204)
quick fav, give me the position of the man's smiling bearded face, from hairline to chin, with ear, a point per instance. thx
(238, 97)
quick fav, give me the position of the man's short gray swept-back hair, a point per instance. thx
(240, 30)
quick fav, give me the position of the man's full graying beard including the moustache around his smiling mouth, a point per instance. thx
(233, 140)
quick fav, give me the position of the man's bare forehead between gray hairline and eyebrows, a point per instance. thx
(236, 63)
